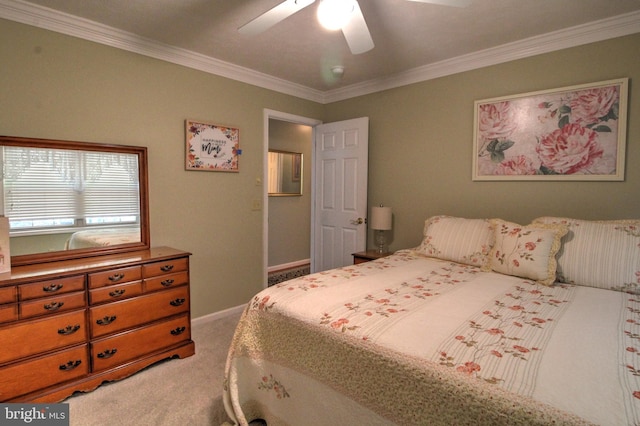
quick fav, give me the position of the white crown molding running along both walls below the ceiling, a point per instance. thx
(49, 19)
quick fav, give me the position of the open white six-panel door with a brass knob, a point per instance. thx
(340, 200)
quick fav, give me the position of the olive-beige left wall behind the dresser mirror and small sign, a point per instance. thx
(59, 87)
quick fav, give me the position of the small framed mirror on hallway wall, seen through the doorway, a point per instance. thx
(284, 173)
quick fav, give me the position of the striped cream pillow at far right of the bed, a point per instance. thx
(602, 254)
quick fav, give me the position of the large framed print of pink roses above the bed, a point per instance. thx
(571, 133)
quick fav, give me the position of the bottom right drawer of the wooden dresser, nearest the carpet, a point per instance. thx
(130, 345)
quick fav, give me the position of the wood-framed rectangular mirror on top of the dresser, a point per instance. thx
(69, 200)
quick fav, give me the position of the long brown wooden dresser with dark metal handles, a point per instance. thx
(70, 325)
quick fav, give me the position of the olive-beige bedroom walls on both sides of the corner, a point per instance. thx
(59, 87)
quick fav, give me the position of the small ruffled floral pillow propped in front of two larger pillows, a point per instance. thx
(526, 251)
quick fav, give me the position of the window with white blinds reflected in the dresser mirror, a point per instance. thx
(49, 188)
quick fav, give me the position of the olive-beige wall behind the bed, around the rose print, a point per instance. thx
(421, 136)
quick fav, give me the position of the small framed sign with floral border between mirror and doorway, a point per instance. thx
(211, 147)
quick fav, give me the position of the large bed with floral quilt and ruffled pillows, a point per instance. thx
(486, 322)
